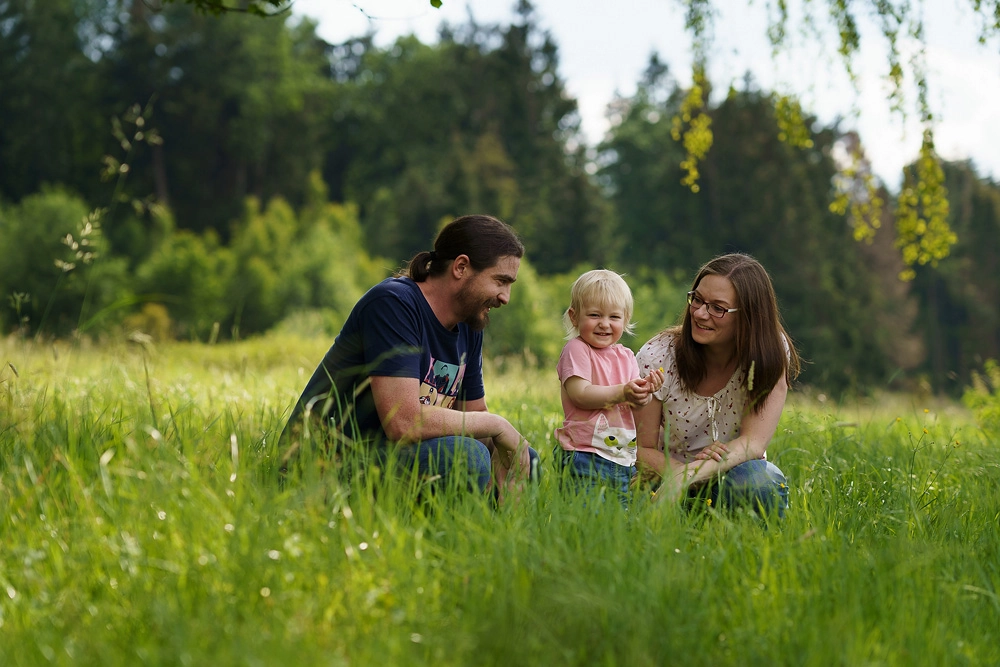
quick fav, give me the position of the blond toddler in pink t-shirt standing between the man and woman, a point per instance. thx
(600, 384)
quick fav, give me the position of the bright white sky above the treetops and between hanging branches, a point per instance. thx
(604, 46)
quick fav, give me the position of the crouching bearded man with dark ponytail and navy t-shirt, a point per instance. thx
(406, 370)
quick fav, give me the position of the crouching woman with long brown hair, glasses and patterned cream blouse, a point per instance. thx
(727, 369)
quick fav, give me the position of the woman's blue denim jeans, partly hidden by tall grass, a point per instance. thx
(758, 484)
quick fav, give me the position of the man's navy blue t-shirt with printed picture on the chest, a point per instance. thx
(392, 332)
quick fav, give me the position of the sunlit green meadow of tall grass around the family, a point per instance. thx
(143, 524)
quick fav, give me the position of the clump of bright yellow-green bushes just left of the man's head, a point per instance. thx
(279, 263)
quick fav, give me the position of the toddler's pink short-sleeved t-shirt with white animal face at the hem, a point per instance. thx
(609, 432)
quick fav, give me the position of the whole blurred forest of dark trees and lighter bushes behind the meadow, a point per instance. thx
(179, 175)
